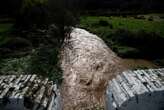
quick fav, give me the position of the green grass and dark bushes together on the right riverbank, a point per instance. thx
(129, 37)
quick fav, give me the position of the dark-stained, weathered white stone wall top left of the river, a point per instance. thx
(28, 92)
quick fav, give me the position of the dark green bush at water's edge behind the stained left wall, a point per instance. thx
(44, 61)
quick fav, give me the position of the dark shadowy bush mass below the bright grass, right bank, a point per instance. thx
(149, 44)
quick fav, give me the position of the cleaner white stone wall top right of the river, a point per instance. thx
(136, 90)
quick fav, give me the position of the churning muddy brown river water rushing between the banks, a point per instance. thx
(87, 65)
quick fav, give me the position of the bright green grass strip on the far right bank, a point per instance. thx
(130, 23)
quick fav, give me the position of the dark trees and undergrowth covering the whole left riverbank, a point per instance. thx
(30, 43)
